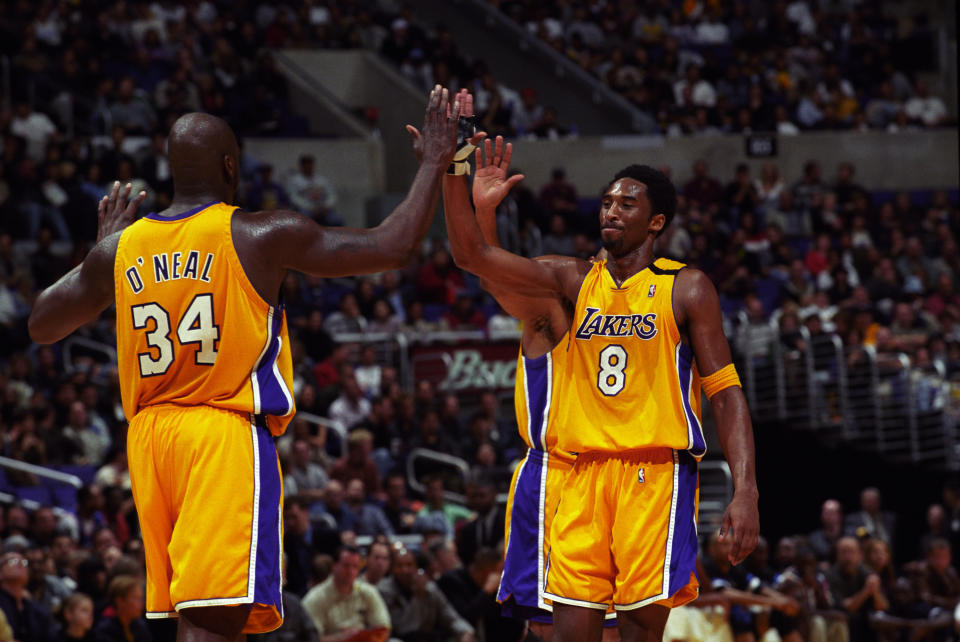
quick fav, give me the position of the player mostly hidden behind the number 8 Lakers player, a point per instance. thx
(535, 488)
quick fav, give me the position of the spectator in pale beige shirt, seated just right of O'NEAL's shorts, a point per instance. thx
(342, 606)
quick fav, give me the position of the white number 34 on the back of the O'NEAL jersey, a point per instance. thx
(196, 326)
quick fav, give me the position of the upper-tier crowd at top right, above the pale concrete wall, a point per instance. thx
(705, 67)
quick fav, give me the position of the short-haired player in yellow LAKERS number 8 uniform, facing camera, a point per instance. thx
(643, 329)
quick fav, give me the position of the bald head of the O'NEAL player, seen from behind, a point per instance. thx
(203, 157)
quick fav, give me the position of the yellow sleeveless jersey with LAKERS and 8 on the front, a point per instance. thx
(630, 382)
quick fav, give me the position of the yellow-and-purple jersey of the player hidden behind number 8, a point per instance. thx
(535, 396)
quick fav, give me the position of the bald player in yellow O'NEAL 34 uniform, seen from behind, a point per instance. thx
(204, 359)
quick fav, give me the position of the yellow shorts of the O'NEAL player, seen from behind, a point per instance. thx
(208, 491)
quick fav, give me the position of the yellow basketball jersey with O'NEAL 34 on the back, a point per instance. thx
(191, 328)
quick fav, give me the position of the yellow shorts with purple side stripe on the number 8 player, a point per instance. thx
(625, 532)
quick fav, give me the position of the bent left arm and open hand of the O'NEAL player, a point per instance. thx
(84, 292)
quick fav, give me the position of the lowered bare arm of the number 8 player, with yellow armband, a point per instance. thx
(698, 309)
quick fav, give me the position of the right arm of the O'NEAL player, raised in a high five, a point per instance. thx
(298, 243)
